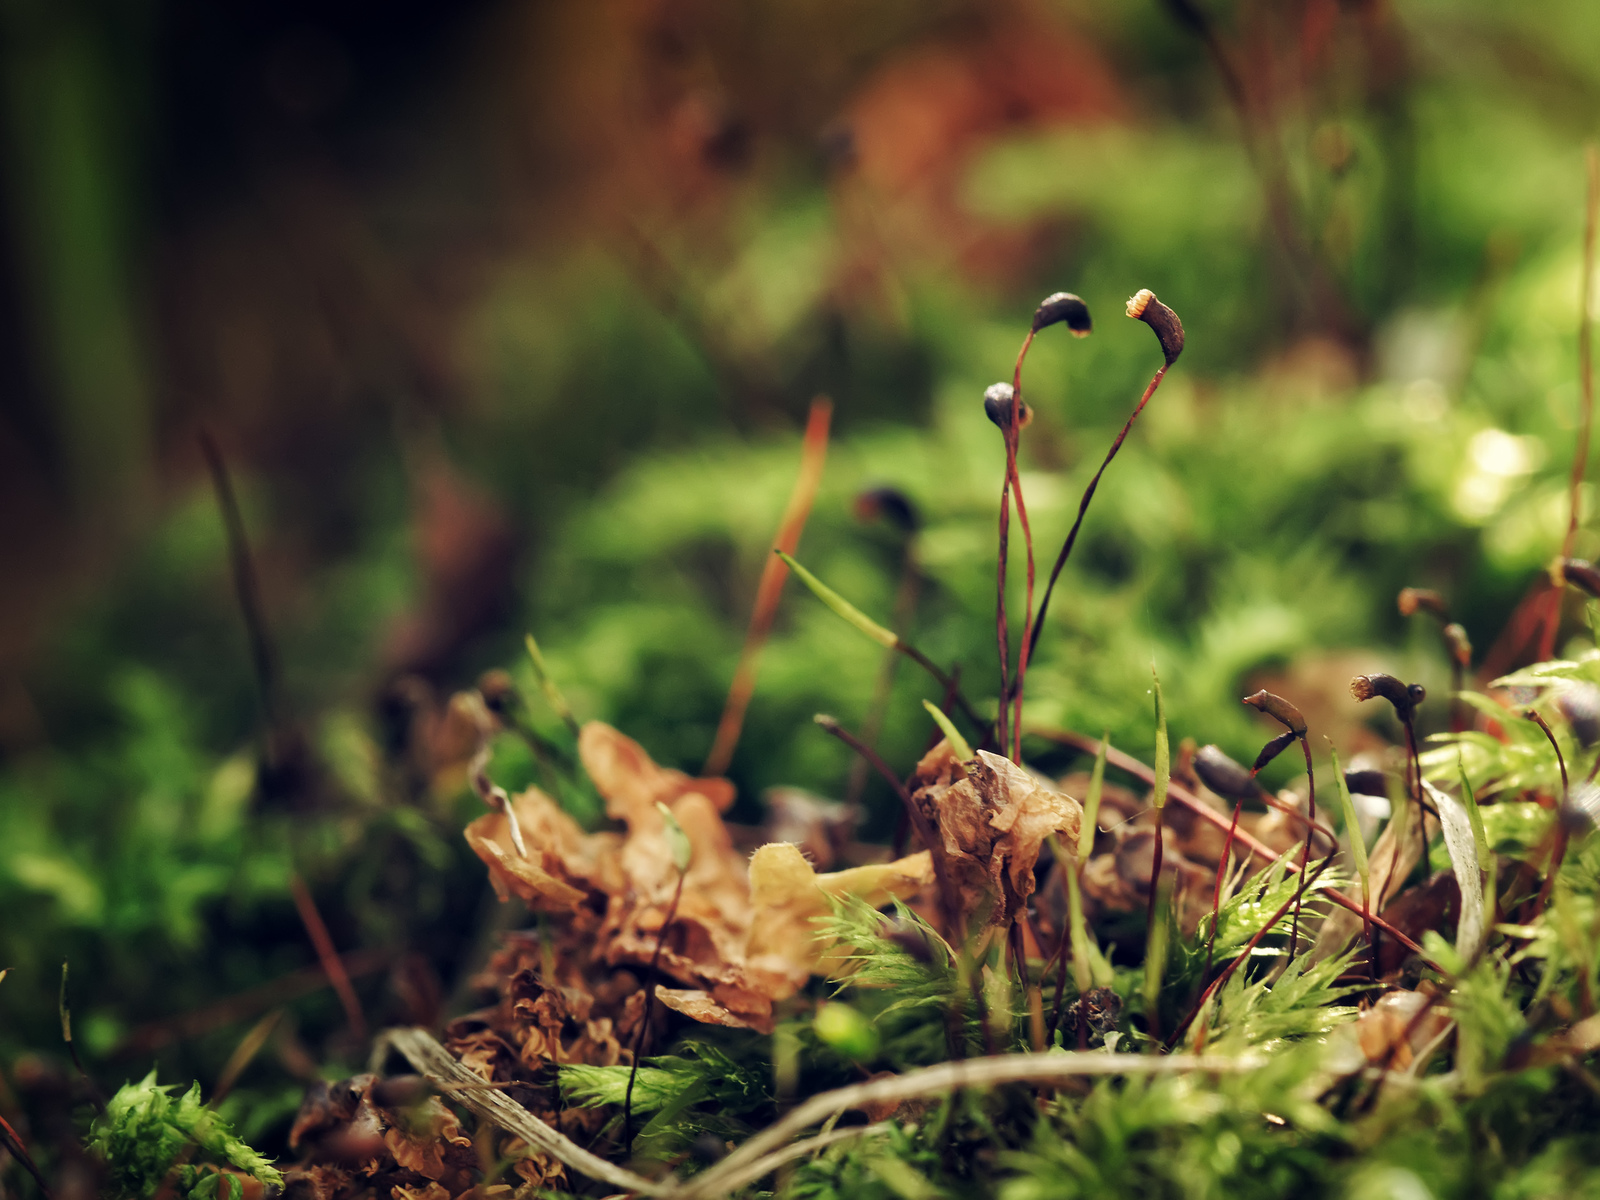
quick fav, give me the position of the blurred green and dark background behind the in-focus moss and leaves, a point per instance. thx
(506, 318)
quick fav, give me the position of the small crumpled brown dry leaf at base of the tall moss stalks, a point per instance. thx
(993, 820)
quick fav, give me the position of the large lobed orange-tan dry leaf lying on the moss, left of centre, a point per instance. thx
(743, 935)
